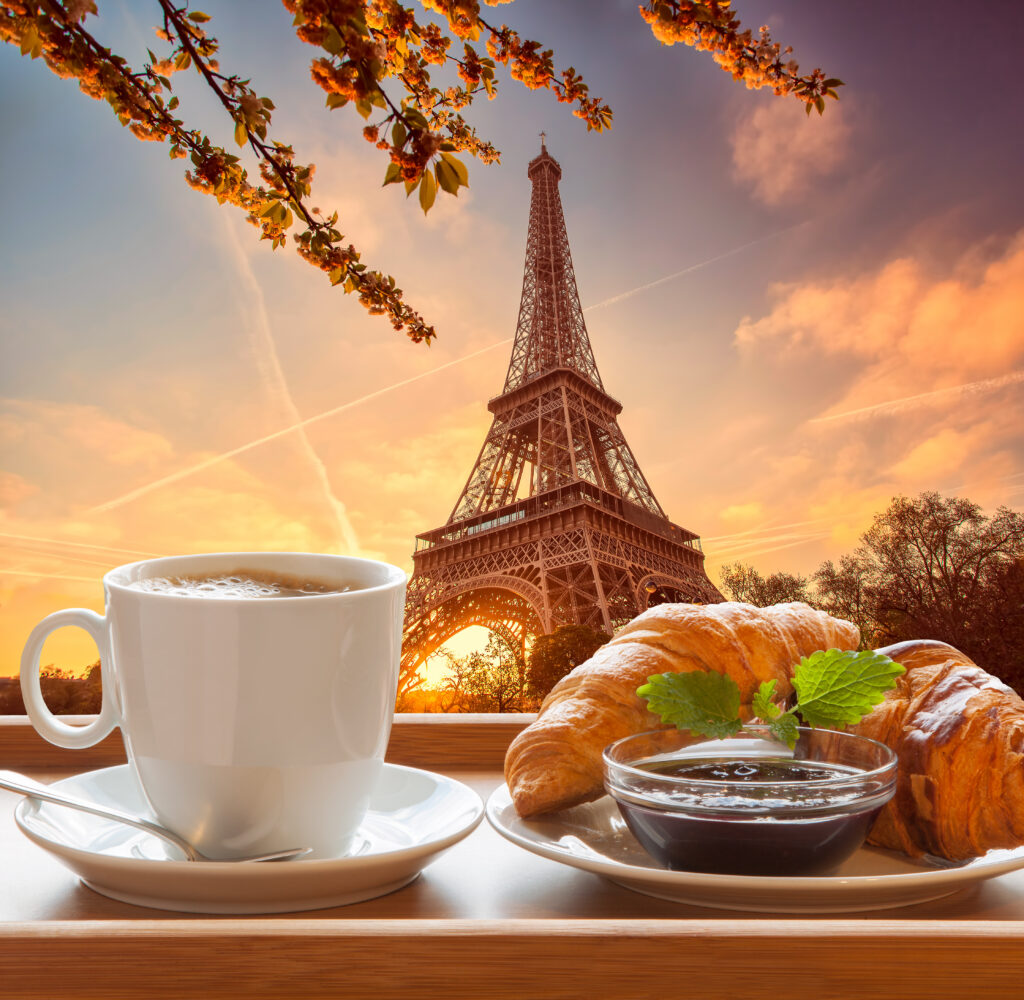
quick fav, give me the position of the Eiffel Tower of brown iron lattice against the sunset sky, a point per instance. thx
(557, 524)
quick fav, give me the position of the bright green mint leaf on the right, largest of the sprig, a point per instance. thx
(838, 688)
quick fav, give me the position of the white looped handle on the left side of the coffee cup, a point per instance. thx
(47, 724)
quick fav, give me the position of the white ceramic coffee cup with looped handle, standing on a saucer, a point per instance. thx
(253, 724)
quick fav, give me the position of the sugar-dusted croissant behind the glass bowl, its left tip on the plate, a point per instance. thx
(557, 761)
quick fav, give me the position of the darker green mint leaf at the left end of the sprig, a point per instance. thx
(706, 704)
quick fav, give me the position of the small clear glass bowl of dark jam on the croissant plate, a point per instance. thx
(749, 805)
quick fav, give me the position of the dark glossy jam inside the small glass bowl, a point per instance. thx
(755, 846)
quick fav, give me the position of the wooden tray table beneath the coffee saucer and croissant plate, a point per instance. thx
(487, 921)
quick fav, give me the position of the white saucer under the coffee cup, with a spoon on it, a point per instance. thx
(414, 817)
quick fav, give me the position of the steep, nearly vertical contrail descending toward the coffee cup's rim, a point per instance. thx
(266, 354)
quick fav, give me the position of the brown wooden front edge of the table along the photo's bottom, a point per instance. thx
(506, 960)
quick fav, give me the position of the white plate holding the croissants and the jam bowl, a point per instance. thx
(595, 839)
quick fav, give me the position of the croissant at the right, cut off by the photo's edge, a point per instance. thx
(959, 734)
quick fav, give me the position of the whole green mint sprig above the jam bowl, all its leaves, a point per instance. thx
(835, 688)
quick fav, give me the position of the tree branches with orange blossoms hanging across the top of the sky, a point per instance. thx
(374, 57)
